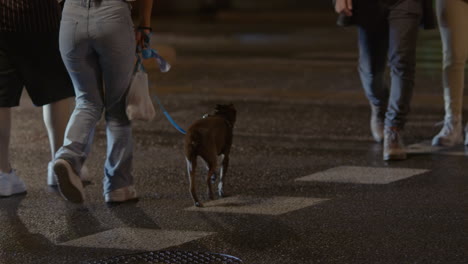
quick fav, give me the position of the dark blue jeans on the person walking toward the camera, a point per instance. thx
(388, 32)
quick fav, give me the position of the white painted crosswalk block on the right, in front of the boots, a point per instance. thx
(362, 175)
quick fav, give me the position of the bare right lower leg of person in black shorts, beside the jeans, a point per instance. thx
(56, 116)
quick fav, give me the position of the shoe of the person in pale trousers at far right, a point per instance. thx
(450, 135)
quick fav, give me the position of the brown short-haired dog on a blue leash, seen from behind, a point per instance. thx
(209, 138)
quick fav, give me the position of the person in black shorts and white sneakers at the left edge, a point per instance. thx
(30, 58)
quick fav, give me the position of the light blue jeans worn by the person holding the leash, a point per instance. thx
(97, 44)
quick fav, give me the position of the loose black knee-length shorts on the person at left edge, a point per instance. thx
(33, 61)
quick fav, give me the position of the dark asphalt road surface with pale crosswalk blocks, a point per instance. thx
(306, 183)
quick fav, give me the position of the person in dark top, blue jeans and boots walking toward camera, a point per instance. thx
(387, 33)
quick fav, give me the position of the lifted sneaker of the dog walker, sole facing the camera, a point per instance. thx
(69, 183)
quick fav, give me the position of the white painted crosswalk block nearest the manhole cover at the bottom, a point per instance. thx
(136, 239)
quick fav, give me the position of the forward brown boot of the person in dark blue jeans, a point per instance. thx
(394, 148)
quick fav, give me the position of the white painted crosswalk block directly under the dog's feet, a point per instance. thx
(256, 205)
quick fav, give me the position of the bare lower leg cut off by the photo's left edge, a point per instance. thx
(5, 127)
